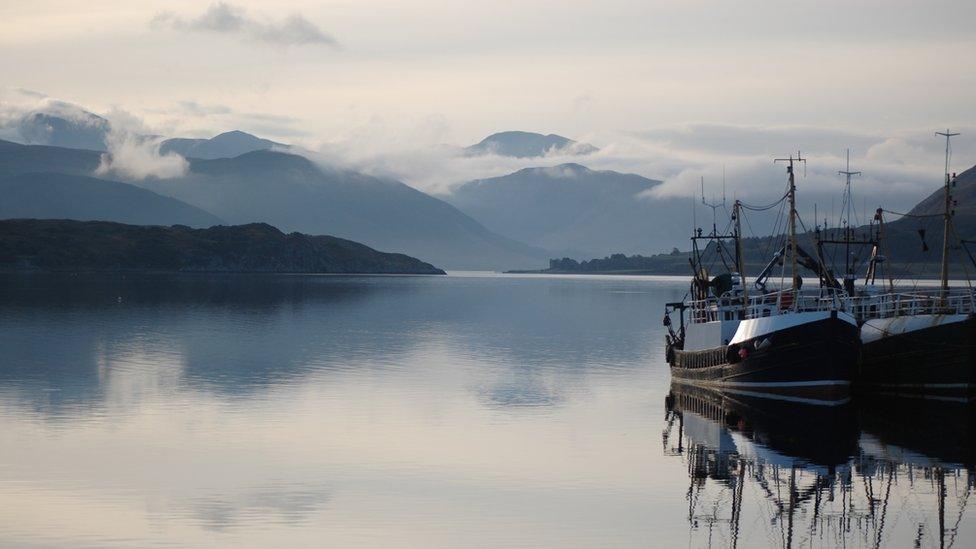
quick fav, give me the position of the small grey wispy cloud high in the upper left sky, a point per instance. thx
(223, 18)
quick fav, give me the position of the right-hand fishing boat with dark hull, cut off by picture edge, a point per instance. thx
(917, 340)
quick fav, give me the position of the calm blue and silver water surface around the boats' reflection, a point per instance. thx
(283, 411)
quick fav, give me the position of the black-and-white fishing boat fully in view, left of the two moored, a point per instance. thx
(781, 343)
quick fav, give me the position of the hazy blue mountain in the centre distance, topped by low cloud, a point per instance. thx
(575, 210)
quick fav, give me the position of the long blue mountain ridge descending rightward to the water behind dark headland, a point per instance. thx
(295, 194)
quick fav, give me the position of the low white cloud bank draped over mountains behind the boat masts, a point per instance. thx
(899, 168)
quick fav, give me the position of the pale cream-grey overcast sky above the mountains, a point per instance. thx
(704, 82)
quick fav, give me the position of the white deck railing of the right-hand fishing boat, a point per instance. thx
(887, 305)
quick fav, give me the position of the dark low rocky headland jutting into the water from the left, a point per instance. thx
(58, 245)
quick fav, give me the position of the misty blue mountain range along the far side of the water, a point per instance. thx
(515, 221)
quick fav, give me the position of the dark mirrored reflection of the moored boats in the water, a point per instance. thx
(788, 474)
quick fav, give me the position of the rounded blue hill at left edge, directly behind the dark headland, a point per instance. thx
(62, 196)
